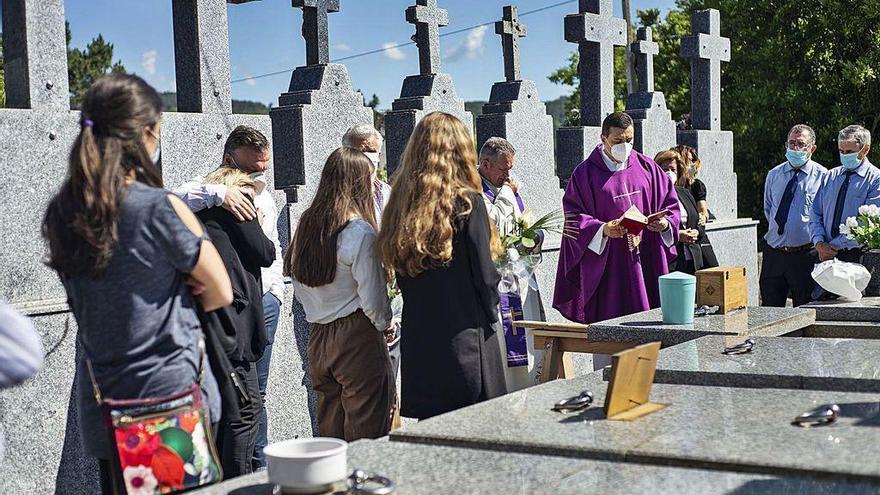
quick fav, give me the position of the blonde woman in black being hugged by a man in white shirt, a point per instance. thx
(245, 249)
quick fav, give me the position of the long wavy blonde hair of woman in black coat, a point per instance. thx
(431, 190)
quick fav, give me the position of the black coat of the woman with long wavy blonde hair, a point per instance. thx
(449, 353)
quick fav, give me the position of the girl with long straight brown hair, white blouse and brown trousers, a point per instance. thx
(341, 284)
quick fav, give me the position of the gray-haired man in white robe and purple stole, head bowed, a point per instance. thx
(505, 206)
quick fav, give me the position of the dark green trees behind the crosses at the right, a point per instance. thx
(793, 61)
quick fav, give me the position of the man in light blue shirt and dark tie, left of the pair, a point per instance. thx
(789, 192)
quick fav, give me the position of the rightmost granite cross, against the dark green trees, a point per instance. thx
(706, 49)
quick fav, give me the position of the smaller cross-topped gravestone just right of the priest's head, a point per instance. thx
(654, 127)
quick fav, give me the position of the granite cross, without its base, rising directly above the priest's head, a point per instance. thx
(597, 33)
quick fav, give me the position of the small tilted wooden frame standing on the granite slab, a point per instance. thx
(629, 389)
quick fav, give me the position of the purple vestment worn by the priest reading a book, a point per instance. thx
(594, 287)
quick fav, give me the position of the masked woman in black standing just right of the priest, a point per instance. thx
(693, 247)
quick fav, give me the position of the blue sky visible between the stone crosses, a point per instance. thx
(264, 36)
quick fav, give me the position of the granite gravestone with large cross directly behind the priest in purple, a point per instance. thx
(597, 33)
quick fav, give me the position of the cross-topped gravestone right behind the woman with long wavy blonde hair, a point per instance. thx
(430, 91)
